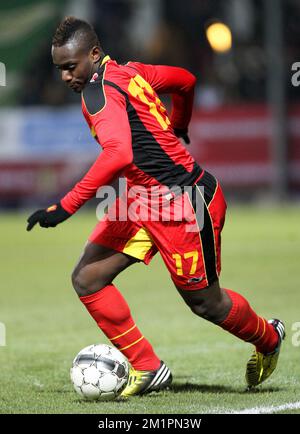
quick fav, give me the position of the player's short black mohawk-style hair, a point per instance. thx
(74, 28)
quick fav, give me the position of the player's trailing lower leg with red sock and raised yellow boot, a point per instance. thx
(233, 313)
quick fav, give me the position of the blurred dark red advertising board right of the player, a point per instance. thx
(234, 143)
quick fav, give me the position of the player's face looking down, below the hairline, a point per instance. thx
(76, 65)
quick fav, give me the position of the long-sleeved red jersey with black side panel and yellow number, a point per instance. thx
(122, 108)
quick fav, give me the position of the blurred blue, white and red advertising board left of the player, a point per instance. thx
(43, 152)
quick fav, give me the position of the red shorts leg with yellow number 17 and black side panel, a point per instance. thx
(191, 246)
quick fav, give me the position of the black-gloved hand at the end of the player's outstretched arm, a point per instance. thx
(49, 217)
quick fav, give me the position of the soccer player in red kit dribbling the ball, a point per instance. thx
(121, 106)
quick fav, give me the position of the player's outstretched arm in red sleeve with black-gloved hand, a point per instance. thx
(113, 131)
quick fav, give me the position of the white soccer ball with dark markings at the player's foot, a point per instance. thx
(99, 372)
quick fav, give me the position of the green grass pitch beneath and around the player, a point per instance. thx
(46, 325)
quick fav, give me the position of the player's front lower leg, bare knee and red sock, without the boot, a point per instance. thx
(92, 279)
